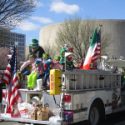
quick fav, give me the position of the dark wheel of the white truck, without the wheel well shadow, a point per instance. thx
(94, 115)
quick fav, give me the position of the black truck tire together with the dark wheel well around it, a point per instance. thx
(96, 114)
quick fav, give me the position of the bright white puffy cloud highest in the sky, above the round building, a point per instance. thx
(61, 7)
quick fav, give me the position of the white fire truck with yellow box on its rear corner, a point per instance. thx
(81, 95)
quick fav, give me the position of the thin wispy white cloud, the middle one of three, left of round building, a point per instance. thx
(43, 20)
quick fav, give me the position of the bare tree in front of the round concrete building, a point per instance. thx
(76, 33)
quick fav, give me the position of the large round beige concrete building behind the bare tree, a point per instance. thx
(115, 29)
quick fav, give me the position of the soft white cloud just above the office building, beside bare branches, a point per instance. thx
(27, 26)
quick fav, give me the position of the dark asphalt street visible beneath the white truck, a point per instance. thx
(116, 119)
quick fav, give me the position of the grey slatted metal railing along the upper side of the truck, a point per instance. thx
(92, 79)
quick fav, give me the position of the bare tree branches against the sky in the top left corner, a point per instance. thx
(14, 11)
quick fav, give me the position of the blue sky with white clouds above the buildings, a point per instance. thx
(54, 11)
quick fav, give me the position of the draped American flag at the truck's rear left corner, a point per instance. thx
(12, 82)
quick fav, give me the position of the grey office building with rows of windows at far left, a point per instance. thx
(8, 39)
